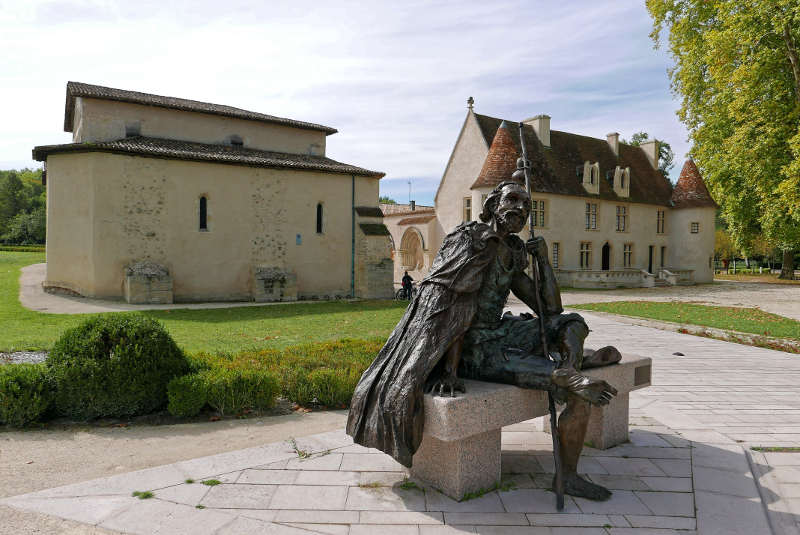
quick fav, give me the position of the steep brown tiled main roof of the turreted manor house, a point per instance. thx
(554, 167)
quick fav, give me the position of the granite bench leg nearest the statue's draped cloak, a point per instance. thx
(460, 466)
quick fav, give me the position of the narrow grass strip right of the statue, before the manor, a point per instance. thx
(746, 320)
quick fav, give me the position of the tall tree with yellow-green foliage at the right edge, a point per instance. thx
(737, 73)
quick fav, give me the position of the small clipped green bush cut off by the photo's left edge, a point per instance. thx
(25, 393)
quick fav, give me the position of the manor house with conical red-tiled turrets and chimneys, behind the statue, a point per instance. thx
(609, 216)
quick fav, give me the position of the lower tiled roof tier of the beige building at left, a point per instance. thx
(185, 150)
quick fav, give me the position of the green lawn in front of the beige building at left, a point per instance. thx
(211, 330)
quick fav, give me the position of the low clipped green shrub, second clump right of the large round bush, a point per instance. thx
(234, 391)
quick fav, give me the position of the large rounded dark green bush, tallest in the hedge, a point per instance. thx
(114, 365)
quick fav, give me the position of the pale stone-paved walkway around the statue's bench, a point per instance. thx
(688, 469)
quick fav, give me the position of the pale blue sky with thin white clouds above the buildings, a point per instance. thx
(392, 77)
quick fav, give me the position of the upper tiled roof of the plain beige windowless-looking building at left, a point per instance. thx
(78, 89)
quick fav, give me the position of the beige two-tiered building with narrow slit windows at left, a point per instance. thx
(160, 198)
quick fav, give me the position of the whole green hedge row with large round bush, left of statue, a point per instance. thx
(126, 365)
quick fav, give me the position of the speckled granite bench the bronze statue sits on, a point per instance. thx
(460, 450)
